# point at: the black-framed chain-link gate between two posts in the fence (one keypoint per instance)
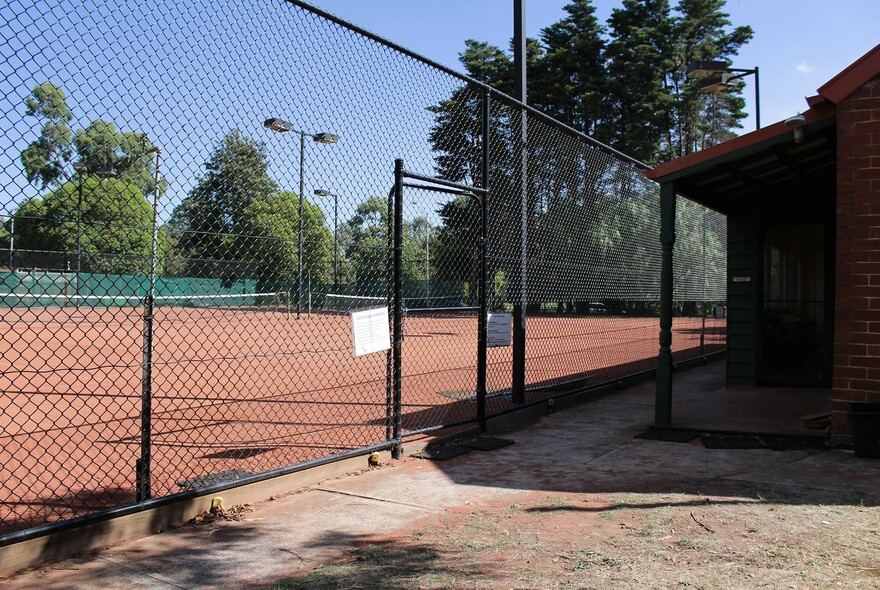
(438, 331)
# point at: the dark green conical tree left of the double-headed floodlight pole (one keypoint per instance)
(209, 220)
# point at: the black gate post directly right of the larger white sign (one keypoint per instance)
(397, 335)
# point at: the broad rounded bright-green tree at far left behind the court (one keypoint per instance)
(111, 218)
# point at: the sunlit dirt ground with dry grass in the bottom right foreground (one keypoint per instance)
(737, 535)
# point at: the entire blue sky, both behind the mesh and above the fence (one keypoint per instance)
(185, 73)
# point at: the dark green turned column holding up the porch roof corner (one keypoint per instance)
(663, 398)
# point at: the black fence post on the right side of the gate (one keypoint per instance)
(482, 346)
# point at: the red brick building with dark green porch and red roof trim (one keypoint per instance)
(802, 198)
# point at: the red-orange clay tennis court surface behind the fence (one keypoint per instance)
(237, 392)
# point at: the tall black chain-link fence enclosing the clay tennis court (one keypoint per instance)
(195, 198)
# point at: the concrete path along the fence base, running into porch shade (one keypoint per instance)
(585, 448)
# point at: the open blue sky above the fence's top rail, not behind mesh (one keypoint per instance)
(798, 44)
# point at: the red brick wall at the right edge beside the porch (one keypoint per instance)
(857, 309)
